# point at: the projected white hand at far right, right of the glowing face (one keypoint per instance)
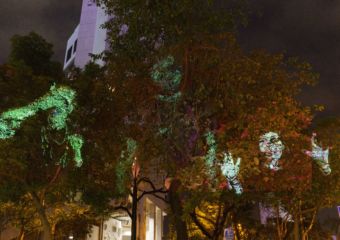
(320, 156)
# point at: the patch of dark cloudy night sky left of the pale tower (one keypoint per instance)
(53, 19)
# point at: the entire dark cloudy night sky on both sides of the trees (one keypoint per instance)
(309, 29)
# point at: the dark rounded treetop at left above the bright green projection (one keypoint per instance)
(29, 73)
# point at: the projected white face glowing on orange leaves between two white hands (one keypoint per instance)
(272, 147)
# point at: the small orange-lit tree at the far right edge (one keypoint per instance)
(324, 189)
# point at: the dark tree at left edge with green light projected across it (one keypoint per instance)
(33, 167)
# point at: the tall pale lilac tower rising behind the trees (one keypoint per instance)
(88, 37)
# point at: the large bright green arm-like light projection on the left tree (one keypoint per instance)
(61, 101)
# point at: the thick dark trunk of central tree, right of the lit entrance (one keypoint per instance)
(177, 211)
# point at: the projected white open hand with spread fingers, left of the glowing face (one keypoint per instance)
(231, 170)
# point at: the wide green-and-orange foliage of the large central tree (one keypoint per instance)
(218, 89)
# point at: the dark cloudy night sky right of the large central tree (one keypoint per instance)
(308, 29)
